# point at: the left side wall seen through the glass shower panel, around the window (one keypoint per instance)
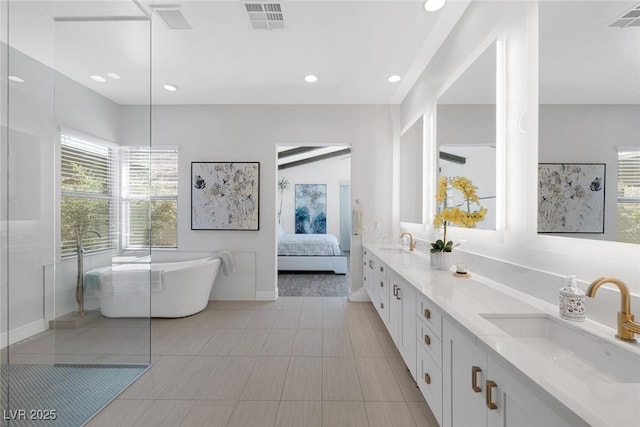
(37, 109)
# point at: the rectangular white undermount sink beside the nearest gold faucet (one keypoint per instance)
(570, 348)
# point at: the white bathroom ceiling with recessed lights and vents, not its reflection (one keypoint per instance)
(352, 47)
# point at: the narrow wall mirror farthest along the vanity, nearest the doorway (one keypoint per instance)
(411, 172)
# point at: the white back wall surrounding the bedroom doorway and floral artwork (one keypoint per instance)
(252, 133)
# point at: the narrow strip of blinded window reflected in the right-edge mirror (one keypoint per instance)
(628, 223)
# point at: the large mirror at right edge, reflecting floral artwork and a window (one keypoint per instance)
(589, 120)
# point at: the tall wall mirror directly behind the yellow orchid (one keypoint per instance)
(466, 134)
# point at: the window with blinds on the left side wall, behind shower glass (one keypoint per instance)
(87, 203)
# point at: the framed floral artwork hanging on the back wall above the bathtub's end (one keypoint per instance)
(225, 195)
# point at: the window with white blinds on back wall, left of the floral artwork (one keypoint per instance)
(149, 176)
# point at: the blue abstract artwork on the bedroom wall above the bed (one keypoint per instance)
(311, 209)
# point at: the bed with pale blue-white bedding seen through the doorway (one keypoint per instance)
(310, 252)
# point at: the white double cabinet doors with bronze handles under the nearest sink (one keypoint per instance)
(478, 390)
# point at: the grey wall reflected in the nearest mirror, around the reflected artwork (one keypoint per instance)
(590, 134)
